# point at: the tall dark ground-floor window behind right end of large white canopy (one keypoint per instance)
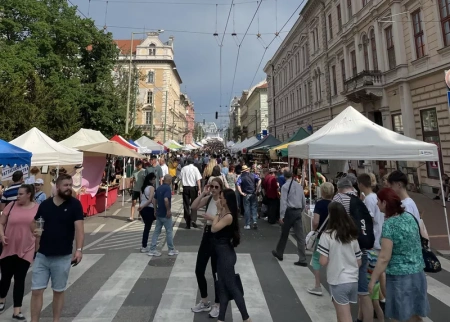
(430, 132)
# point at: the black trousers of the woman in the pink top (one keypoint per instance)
(17, 267)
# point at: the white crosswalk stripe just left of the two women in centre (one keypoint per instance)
(180, 293)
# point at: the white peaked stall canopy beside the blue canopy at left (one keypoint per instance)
(45, 150)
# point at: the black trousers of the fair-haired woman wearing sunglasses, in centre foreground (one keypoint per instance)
(205, 252)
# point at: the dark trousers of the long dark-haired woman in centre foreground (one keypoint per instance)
(228, 289)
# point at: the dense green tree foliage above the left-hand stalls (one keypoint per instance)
(56, 72)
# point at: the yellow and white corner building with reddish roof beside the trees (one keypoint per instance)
(160, 108)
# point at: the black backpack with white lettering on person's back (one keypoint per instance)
(361, 216)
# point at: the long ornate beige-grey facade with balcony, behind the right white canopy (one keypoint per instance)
(386, 58)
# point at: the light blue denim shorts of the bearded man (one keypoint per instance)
(55, 267)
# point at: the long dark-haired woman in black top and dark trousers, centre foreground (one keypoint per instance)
(226, 237)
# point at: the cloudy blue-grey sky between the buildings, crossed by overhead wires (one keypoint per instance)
(193, 23)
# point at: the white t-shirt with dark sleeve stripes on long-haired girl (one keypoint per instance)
(342, 259)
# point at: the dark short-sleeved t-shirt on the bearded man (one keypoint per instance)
(59, 226)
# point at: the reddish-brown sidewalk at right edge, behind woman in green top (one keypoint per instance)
(434, 218)
